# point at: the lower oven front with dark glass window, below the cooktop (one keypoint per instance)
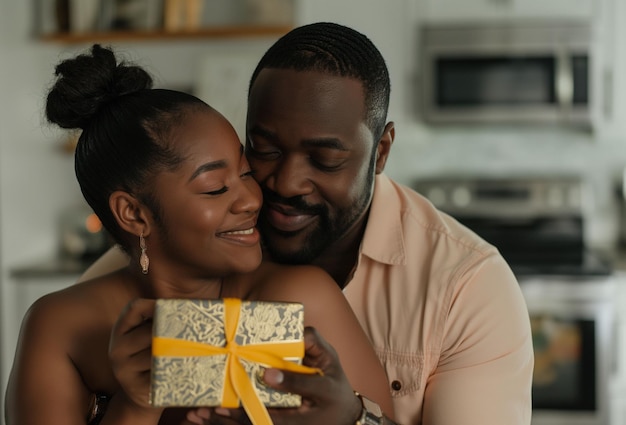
(573, 325)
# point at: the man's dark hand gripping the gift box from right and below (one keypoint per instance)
(327, 399)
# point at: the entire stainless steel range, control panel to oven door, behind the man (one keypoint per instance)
(538, 225)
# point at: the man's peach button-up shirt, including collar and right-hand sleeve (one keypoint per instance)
(444, 313)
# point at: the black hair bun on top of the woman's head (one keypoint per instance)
(86, 82)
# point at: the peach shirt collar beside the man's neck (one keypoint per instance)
(383, 240)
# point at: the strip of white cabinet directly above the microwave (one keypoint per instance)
(440, 11)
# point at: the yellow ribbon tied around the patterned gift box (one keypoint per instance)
(237, 385)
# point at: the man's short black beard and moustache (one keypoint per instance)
(327, 230)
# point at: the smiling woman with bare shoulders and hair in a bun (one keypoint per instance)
(167, 176)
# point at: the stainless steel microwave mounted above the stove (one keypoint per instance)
(506, 73)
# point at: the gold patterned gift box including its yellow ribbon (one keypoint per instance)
(212, 352)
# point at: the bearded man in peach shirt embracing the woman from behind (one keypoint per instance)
(440, 305)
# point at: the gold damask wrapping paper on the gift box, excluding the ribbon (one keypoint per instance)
(200, 380)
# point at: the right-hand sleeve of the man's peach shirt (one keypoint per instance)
(484, 371)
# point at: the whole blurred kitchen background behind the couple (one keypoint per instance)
(510, 115)
